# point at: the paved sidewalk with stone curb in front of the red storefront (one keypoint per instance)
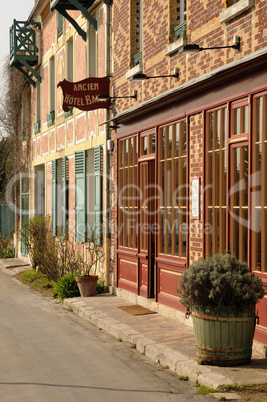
(164, 340)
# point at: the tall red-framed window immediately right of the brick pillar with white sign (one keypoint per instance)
(215, 186)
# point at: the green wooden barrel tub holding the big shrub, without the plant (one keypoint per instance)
(223, 336)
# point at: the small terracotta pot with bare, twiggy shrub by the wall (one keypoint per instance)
(86, 276)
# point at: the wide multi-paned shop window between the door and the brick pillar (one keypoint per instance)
(172, 181)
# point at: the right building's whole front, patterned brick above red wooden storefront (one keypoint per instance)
(190, 154)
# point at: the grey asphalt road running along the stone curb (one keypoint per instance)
(49, 354)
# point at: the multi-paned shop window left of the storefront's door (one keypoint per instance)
(128, 192)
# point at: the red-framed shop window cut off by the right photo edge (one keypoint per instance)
(259, 185)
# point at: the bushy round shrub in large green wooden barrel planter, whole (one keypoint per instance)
(221, 294)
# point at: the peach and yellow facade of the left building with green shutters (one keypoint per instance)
(67, 148)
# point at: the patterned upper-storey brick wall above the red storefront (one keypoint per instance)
(203, 27)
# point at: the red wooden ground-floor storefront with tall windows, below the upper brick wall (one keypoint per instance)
(211, 133)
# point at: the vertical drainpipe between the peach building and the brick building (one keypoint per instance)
(107, 229)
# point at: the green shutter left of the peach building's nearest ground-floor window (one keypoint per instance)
(80, 196)
